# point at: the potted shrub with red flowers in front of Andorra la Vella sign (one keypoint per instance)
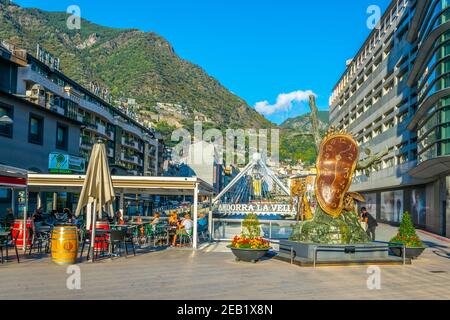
(250, 246)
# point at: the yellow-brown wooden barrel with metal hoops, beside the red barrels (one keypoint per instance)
(64, 245)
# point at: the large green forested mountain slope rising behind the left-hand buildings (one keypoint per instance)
(130, 62)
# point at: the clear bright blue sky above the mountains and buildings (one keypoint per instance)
(258, 49)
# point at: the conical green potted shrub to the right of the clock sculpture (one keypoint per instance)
(407, 235)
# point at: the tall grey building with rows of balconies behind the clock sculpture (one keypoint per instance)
(393, 96)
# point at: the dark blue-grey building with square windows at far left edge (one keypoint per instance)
(30, 133)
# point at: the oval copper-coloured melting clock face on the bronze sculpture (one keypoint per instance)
(336, 164)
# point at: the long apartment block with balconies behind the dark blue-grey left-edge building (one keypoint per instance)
(132, 148)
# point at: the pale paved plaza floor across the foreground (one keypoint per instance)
(212, 273)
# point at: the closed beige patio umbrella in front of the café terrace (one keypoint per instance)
(98, 192)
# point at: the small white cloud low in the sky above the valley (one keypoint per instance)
(285, 102)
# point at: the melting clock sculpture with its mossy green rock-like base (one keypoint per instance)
(335, 220)
